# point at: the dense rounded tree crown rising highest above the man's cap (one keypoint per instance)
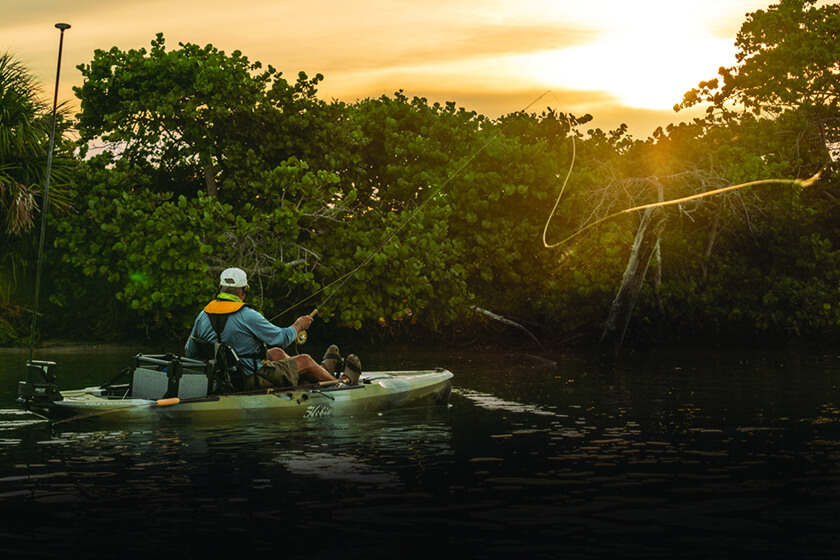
(195, 118)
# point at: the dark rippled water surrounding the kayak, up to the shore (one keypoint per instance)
(694, 454)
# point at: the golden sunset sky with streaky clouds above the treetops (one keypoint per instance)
(622, 61)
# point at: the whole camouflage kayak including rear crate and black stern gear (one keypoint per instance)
(141, 400)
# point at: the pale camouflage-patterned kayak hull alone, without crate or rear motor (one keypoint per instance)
(374, 392)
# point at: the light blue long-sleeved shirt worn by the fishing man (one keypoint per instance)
(245, 332)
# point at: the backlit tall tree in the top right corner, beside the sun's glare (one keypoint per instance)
(788, 61)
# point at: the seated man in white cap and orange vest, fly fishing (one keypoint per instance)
(228, 319)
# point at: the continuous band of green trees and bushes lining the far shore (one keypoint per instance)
(184, 161)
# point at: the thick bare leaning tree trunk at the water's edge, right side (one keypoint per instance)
(647, 236)
